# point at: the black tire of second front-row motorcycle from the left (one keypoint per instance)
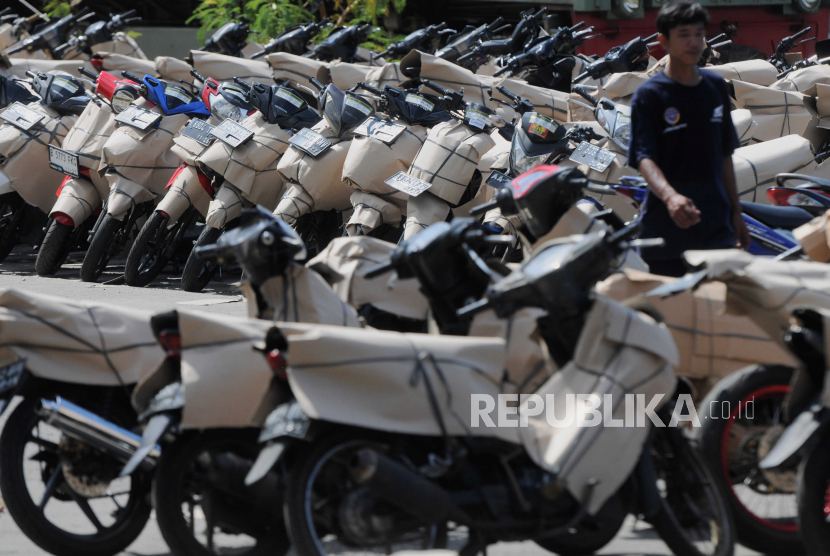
(177, 478)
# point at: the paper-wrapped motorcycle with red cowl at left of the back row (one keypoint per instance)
(81, 192)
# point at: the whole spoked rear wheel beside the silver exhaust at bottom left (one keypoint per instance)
(64, 496)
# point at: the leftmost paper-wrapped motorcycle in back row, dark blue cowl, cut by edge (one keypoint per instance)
(30, 132)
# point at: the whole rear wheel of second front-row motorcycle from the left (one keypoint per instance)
(202, 504)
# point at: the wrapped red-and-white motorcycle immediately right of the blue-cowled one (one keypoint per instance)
(190, 190)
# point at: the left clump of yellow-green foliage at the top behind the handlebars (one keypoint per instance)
(267, 18)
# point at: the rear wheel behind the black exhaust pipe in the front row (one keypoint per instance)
(327, 513)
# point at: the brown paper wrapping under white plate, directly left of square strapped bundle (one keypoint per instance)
(370, 161)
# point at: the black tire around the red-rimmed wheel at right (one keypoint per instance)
(767, 384)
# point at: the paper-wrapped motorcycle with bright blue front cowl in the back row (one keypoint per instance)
(137, 162)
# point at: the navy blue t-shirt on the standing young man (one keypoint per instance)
(687, 131)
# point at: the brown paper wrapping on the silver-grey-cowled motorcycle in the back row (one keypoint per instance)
(317, 181)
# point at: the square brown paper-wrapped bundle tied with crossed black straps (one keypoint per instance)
(449, 158)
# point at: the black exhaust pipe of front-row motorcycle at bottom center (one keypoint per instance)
(405, 489)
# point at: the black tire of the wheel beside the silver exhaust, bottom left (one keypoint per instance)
(32, 521)
